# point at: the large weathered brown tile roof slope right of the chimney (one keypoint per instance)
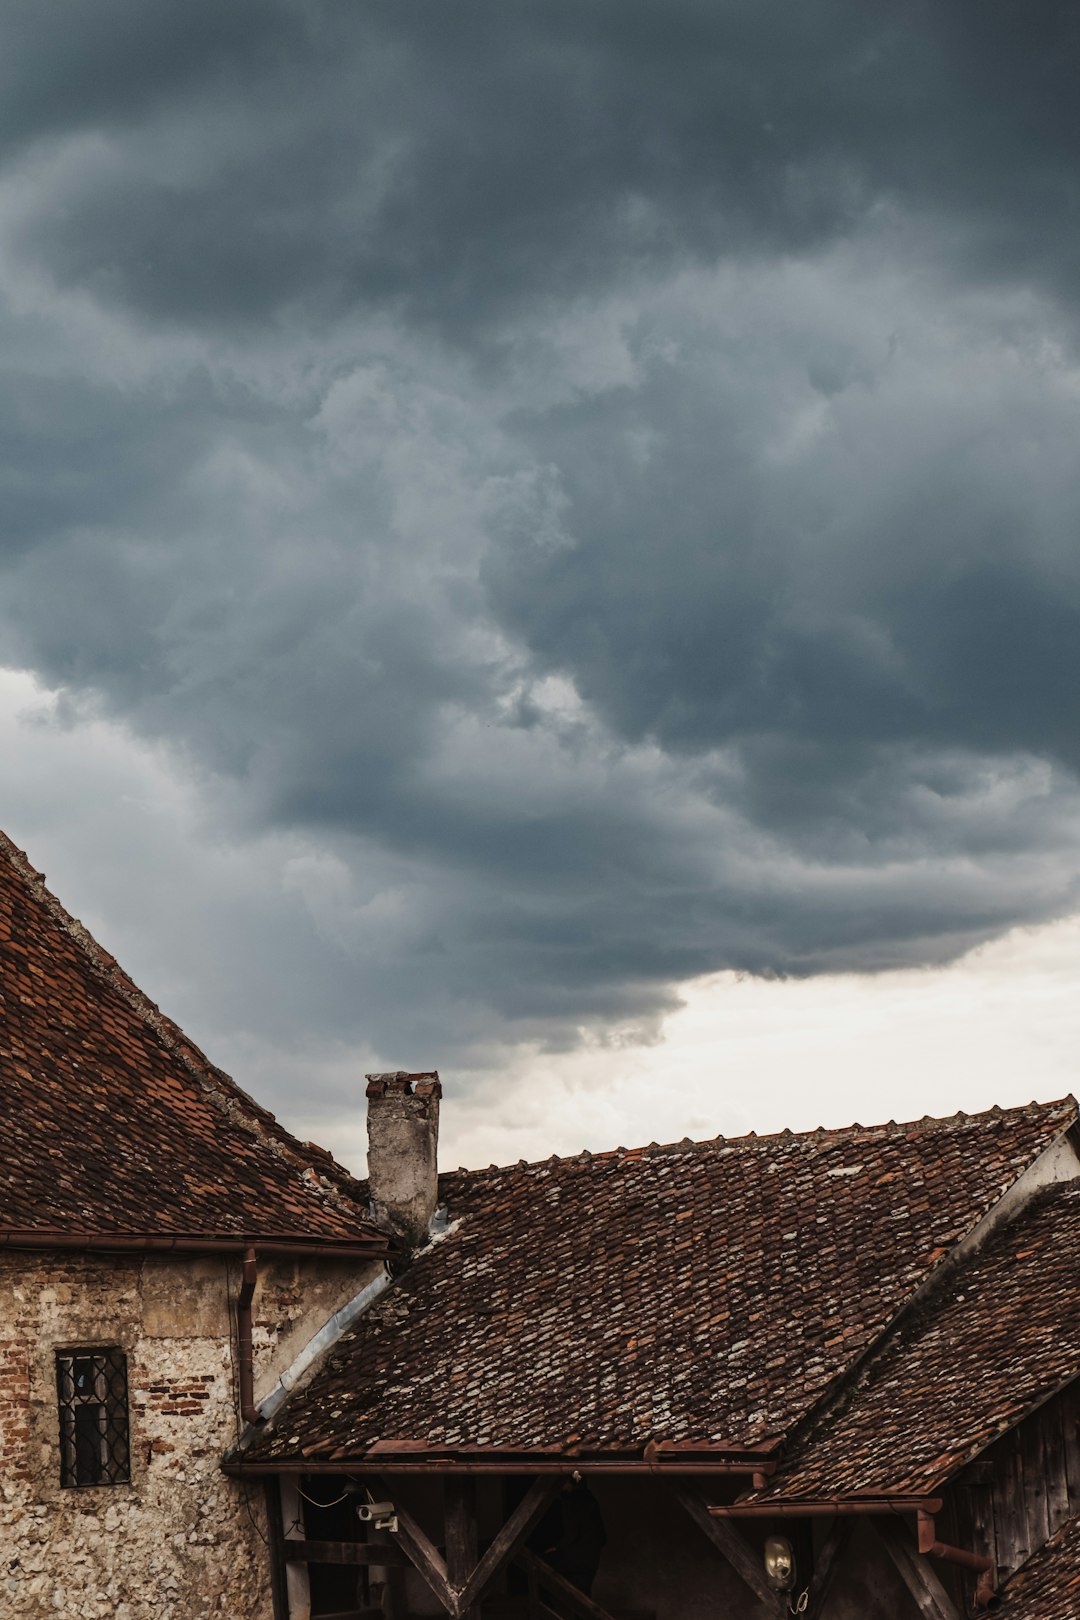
(692, 1292)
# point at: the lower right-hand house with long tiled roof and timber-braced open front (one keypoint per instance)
(833, 1375)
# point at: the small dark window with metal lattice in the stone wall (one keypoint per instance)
(93, 1391)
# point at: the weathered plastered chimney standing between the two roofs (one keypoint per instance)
(402, 1146)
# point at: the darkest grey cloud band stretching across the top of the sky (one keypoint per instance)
(459, 160)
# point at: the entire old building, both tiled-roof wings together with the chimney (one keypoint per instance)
(831, 1373)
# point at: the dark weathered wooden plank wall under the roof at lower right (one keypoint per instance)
(1024, 1488)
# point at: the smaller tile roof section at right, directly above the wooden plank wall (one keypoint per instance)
(984, 1352)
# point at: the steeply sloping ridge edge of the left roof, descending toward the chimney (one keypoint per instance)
(218, 1086)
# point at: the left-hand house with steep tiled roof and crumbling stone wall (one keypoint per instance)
(166, 1250)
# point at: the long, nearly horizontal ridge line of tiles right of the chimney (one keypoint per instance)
(754, 1140)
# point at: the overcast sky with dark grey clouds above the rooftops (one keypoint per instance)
(517, 514)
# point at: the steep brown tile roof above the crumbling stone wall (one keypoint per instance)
(113, 1120)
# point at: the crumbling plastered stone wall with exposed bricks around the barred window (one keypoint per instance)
(181, 1540)
